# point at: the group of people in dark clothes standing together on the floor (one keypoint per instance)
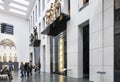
(26, 69)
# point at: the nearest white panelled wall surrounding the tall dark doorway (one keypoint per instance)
(101, 39)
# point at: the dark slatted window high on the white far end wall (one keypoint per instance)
(7, 28)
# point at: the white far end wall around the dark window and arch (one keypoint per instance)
(20, 37)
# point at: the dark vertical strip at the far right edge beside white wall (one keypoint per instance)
(116, 41)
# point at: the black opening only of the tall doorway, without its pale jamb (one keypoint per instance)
(86, 52)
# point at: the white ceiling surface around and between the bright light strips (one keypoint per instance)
(6, 5)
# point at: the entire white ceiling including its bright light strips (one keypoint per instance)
(20, 8)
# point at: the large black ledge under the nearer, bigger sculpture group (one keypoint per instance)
(57, 26)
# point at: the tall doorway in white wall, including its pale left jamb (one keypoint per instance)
(83, 50)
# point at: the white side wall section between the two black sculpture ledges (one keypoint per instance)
(44, 39)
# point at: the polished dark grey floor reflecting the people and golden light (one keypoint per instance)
(42, 77)
